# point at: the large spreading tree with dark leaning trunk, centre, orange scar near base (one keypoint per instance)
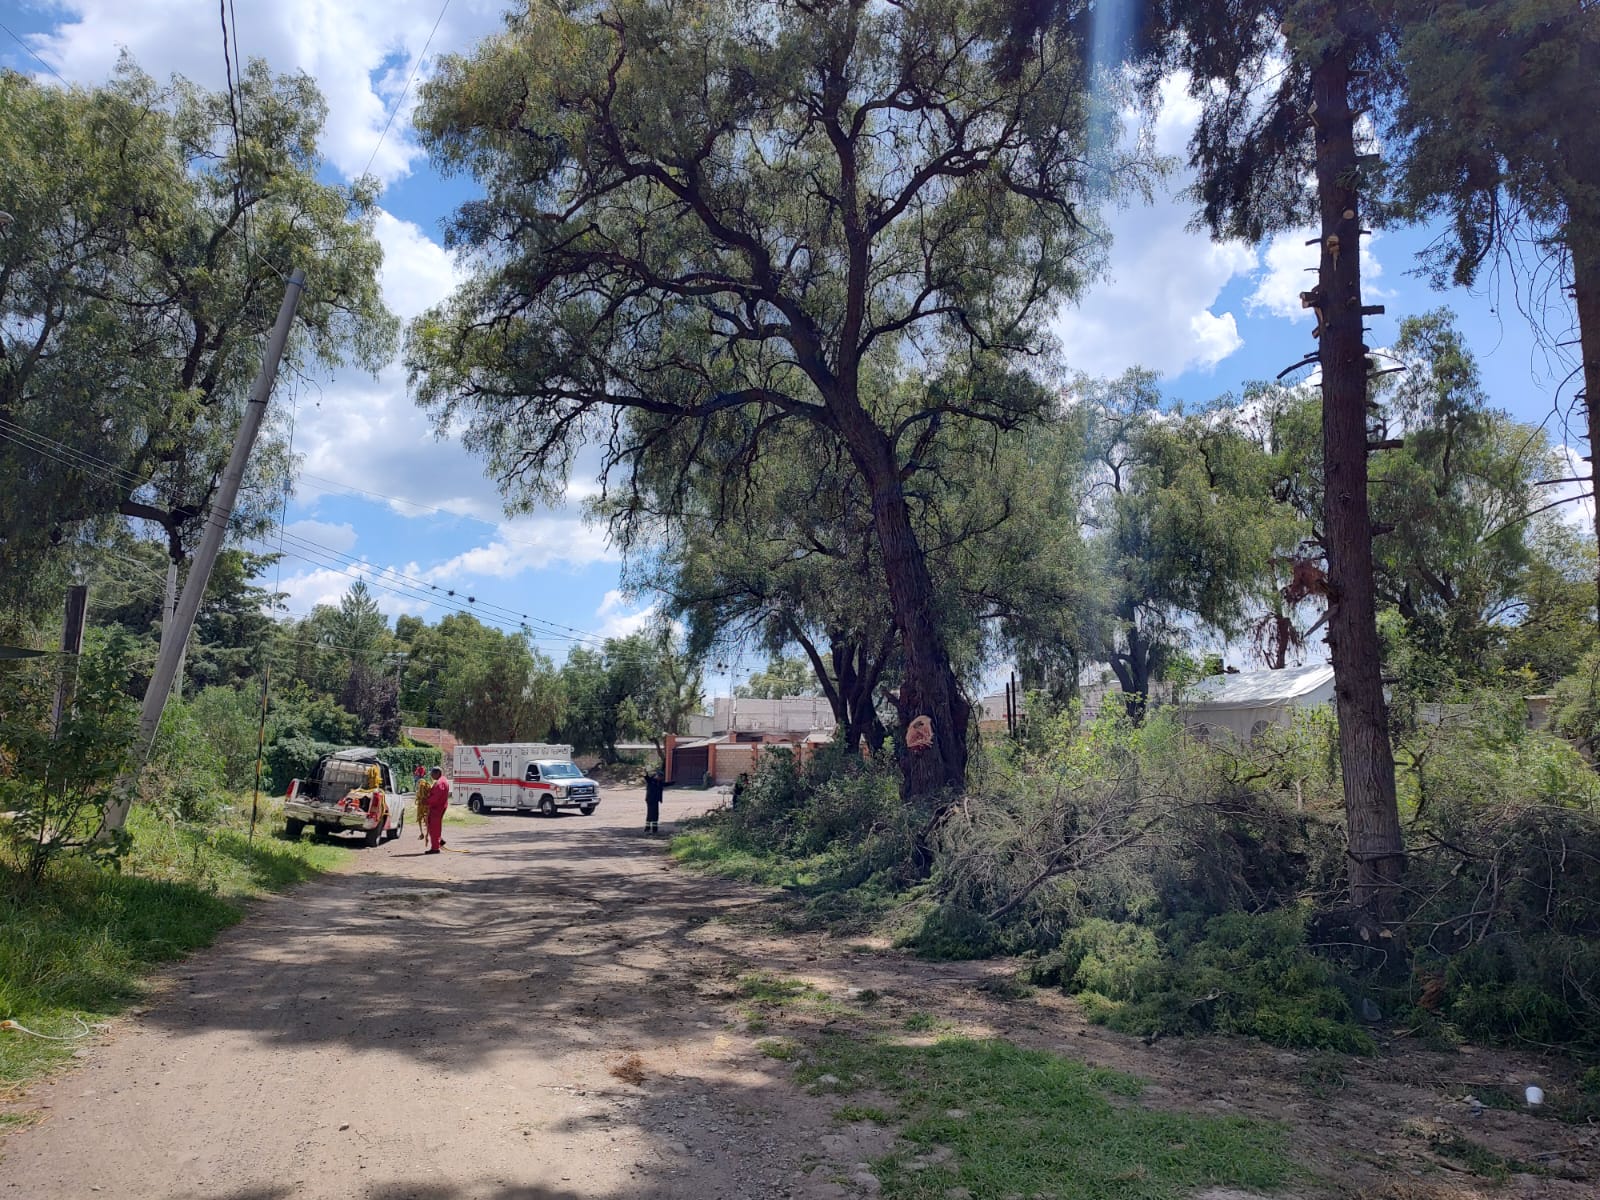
(730, 215)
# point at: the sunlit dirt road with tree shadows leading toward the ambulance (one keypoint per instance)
(439, 1028)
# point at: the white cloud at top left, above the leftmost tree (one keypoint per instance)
(361, 57)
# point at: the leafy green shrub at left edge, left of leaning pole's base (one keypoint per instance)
(55, 782)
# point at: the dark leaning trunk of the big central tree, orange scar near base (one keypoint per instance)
(929, 687)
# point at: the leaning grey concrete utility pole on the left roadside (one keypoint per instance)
(210, 546)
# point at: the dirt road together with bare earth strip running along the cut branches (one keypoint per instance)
(558, 1012)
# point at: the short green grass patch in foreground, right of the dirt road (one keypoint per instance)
(1022, 1122)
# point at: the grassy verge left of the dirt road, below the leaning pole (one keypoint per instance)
(79, 946)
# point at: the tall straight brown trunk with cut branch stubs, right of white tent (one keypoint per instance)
(1372, 815)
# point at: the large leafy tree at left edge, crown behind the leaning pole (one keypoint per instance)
(138, 278)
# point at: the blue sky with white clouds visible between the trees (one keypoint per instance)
(1210, 318)
